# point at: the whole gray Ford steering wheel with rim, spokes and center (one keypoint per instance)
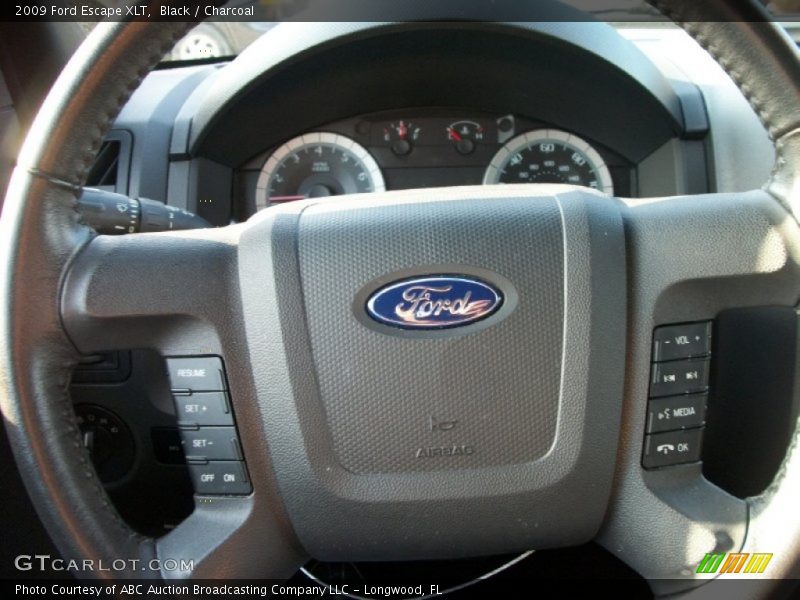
(340, 418)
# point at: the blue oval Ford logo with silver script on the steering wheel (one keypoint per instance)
(434, 302)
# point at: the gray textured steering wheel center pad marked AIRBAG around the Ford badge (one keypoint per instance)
(521, 407)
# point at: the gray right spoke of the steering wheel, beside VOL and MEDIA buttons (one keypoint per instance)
(688, 259)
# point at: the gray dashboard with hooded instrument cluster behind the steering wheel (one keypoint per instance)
(316, 110)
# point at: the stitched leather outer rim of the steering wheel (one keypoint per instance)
(41, 235)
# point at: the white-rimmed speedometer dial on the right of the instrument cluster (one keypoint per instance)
(549, 156)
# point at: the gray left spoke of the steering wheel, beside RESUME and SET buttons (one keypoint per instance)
(178, 293)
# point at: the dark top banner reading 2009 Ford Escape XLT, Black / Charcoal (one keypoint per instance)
(366, 10)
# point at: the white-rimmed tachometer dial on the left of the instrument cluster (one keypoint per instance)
(316, 165)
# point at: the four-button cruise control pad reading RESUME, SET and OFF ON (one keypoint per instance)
(207, 427)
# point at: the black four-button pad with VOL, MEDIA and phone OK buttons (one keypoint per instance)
(679, 381)
